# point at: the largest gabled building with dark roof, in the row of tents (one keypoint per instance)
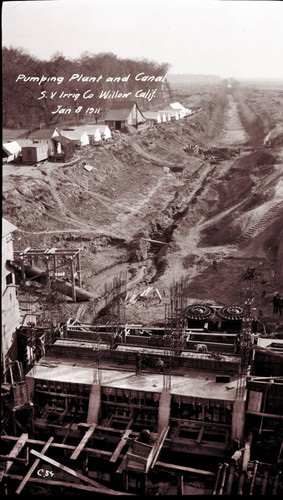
(122, 114)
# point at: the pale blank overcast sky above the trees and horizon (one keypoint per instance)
(240, 39)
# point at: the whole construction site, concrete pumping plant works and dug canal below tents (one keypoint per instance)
(147, 352)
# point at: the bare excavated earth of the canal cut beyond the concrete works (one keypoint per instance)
(145, 186)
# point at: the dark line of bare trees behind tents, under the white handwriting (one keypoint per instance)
(23, 107)
